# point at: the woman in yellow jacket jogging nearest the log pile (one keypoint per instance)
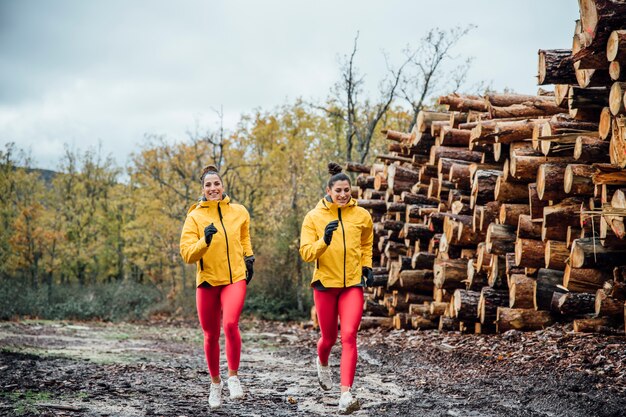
(337, 235)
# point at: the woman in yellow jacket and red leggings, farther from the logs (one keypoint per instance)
(216, 238)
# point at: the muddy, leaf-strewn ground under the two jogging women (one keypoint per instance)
(101, 369)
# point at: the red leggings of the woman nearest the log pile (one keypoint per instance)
(347, 304)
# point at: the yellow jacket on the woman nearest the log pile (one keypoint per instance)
(340, 263)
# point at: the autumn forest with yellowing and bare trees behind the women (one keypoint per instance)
(95, 240)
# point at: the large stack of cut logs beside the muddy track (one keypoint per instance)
(506, 211)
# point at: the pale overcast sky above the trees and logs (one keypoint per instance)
(80, 72)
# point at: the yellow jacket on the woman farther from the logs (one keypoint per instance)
(222, 262)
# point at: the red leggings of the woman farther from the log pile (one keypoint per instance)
(225, 301)
